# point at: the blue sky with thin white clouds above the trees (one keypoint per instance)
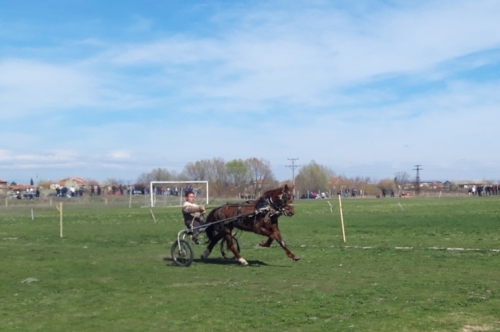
(107, 89)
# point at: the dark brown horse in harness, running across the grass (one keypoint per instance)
(259, 216)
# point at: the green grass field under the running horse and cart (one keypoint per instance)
(397, 271)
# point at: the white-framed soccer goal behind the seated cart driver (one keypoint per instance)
(171, 193)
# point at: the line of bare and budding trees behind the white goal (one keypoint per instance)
(254, 176)
